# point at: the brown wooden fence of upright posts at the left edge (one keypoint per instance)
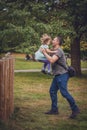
(6, 87)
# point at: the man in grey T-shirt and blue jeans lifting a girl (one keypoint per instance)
(60, 80)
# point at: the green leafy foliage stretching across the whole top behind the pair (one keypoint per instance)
(23, 22)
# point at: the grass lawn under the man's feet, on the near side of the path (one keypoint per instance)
(31, 100)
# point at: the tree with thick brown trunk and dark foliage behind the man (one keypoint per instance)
(75, 17)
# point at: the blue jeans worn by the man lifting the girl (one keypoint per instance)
(60, 83)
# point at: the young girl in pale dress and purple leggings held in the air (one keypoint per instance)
(39, 56)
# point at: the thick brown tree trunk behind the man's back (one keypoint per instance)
(75, 55)
